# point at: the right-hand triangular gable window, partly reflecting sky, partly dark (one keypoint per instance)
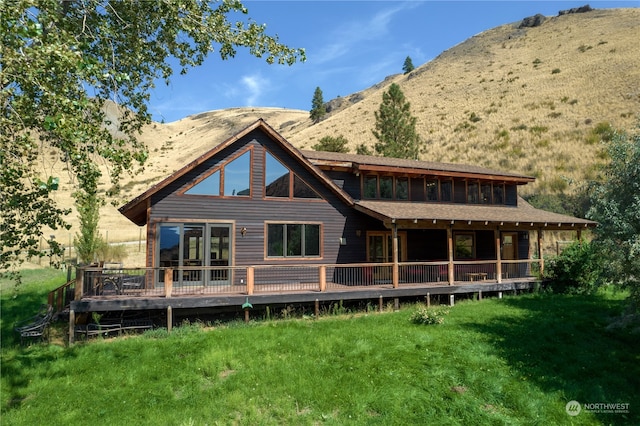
(280, 181)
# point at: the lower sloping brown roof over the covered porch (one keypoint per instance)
(523, 214)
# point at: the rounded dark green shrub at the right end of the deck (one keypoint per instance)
(575, 270)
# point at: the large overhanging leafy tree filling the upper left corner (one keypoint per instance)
(62, 60)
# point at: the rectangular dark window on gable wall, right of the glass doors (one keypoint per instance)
(293, 240)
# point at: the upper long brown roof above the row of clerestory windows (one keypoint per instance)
(364, 163)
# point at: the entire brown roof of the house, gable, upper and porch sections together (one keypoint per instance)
(387, 211)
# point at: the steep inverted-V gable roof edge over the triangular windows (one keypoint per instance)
(136, 209)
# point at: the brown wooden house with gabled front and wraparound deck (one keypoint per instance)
(254, 215)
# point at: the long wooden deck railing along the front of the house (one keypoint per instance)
(132, 282)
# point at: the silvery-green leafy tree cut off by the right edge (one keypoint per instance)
(615, 205)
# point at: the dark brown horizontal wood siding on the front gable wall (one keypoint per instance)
(338, 220)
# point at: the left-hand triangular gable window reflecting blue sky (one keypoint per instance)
(232, 179)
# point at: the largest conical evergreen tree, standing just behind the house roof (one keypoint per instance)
(395, 127)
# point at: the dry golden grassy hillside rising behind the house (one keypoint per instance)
(516, 99)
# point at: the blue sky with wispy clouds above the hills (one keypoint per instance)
(350, 46)
